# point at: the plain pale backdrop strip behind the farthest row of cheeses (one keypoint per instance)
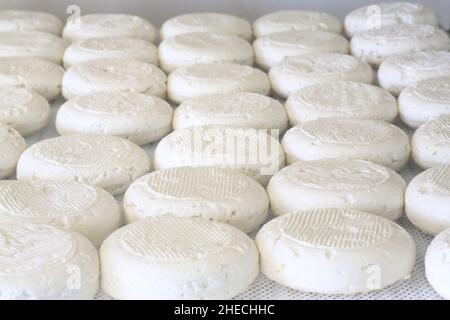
(158, 11)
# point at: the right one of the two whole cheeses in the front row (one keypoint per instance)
(335, 251)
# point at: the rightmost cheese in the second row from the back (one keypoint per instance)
(375, 45)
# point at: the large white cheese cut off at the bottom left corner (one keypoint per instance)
(42, 262)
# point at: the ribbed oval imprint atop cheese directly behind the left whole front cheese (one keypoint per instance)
(197, 183)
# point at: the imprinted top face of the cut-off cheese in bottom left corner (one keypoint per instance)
(33, 248)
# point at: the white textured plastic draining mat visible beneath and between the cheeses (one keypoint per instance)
(414, 288)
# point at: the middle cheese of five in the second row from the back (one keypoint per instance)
(187, 49)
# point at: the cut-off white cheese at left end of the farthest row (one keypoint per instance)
(22, 20)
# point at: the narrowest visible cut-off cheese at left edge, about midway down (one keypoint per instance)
(12, 144)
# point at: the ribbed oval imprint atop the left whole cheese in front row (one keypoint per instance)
(176, 239)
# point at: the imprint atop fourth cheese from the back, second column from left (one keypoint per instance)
(116, 103)
